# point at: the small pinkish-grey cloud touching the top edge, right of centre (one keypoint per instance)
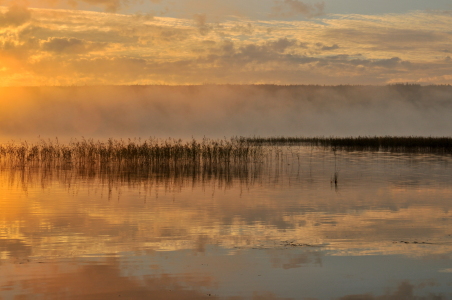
(292, 8)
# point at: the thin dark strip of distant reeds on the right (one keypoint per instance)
(366, 143)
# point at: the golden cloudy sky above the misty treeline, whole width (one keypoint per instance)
(182, 42)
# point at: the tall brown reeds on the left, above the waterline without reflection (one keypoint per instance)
(137, 152)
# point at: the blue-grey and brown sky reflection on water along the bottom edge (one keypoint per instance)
(244, 275)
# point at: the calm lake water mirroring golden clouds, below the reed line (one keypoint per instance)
(277, 229)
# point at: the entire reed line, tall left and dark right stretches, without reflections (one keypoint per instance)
(237, 150)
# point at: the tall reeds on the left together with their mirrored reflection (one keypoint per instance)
(172, 163)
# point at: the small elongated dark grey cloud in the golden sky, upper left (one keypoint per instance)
(71, 46)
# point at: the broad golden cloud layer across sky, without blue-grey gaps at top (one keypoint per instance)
(152, 49)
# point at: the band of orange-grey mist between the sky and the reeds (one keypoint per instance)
(225, 110)
